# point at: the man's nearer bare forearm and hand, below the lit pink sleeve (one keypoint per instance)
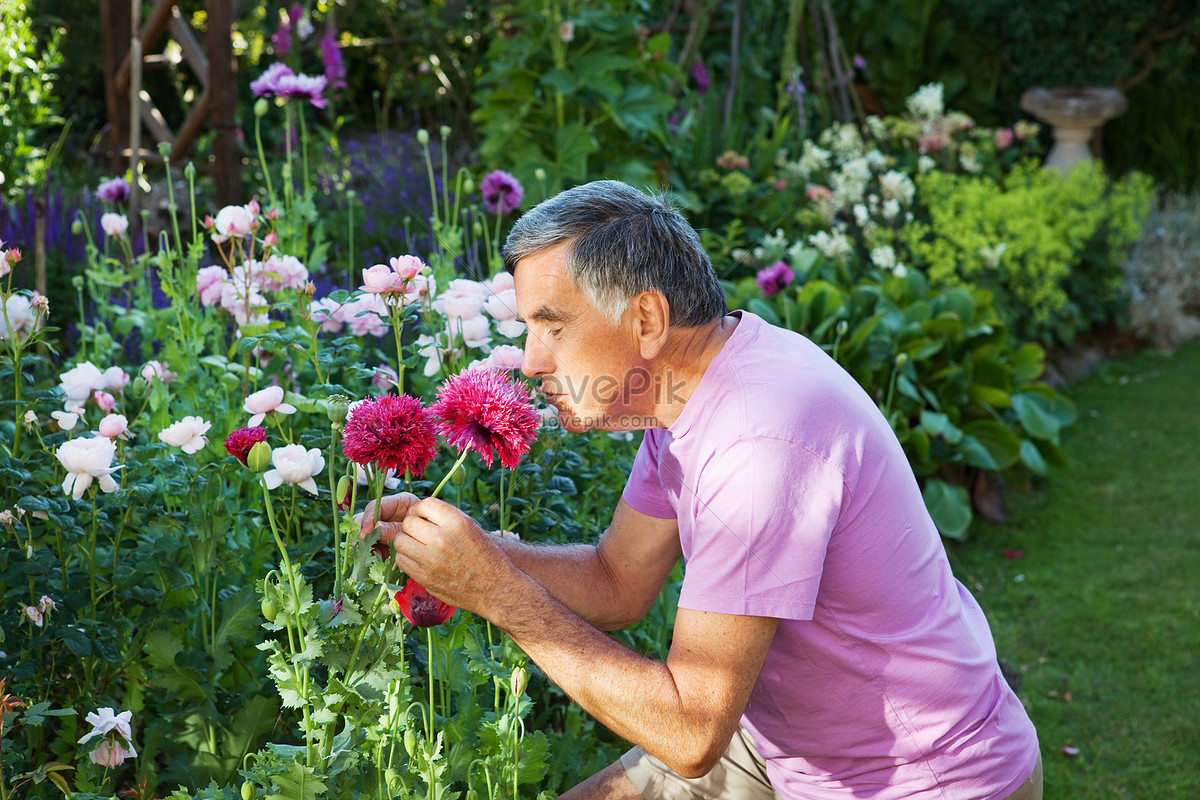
(685, 712)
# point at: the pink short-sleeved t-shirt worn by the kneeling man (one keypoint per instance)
(795, 501)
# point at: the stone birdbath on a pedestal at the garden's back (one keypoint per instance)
(1075, 115)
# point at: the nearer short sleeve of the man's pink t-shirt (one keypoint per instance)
(765, 513)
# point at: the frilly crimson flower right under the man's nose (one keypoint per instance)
(487, 411)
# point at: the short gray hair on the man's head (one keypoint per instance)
(625, 243)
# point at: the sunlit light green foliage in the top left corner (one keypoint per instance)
(28, 106)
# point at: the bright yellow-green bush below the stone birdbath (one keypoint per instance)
(1049, 248)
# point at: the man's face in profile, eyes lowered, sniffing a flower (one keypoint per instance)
(590, 368)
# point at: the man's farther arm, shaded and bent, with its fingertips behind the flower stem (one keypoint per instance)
(610, 585)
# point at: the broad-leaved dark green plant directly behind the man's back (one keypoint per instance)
(961, 396)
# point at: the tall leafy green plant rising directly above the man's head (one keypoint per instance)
(574, 92)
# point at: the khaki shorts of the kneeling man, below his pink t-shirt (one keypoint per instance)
(741, 775)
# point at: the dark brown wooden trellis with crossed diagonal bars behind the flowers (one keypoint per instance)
(128, 39)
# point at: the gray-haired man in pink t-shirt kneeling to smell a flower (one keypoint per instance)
(823, 648)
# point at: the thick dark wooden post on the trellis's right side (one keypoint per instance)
(224, 103)
